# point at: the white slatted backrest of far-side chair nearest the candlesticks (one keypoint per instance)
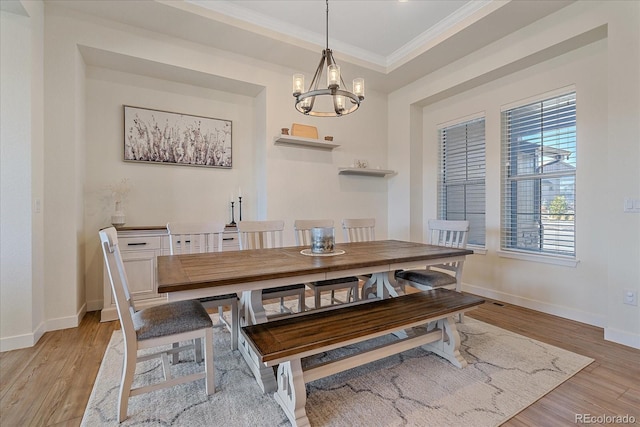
(197, 237)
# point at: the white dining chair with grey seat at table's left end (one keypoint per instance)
(155, 326)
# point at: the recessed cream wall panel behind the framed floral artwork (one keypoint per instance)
(159, 193)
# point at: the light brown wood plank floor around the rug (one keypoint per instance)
(50, 383)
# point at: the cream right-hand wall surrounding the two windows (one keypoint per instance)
(586, 45)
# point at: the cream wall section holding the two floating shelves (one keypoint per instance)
(302, 183)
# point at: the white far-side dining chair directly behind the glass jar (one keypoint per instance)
(302, 229)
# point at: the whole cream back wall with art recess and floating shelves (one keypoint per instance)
(97, 66)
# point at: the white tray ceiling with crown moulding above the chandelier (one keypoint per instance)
(388, 42)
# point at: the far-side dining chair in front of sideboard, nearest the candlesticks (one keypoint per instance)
(190, 238)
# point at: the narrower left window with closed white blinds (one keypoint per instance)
(461, 186)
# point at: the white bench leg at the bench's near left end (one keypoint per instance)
(292, 393)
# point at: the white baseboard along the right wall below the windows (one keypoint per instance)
(544, 307)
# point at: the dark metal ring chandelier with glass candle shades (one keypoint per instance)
(332, 100)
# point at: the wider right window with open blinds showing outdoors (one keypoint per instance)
(539, 177)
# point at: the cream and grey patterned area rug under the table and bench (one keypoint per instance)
(506, 373)
